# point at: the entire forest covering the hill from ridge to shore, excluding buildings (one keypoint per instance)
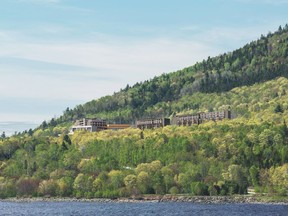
(214, 158)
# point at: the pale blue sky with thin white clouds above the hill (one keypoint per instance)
(56, 54)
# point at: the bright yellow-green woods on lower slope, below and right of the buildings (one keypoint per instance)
(214, 158)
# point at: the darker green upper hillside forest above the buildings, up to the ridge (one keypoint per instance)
(258, 61)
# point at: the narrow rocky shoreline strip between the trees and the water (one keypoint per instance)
(162, 198)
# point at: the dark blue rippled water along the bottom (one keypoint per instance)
(144, 209)
